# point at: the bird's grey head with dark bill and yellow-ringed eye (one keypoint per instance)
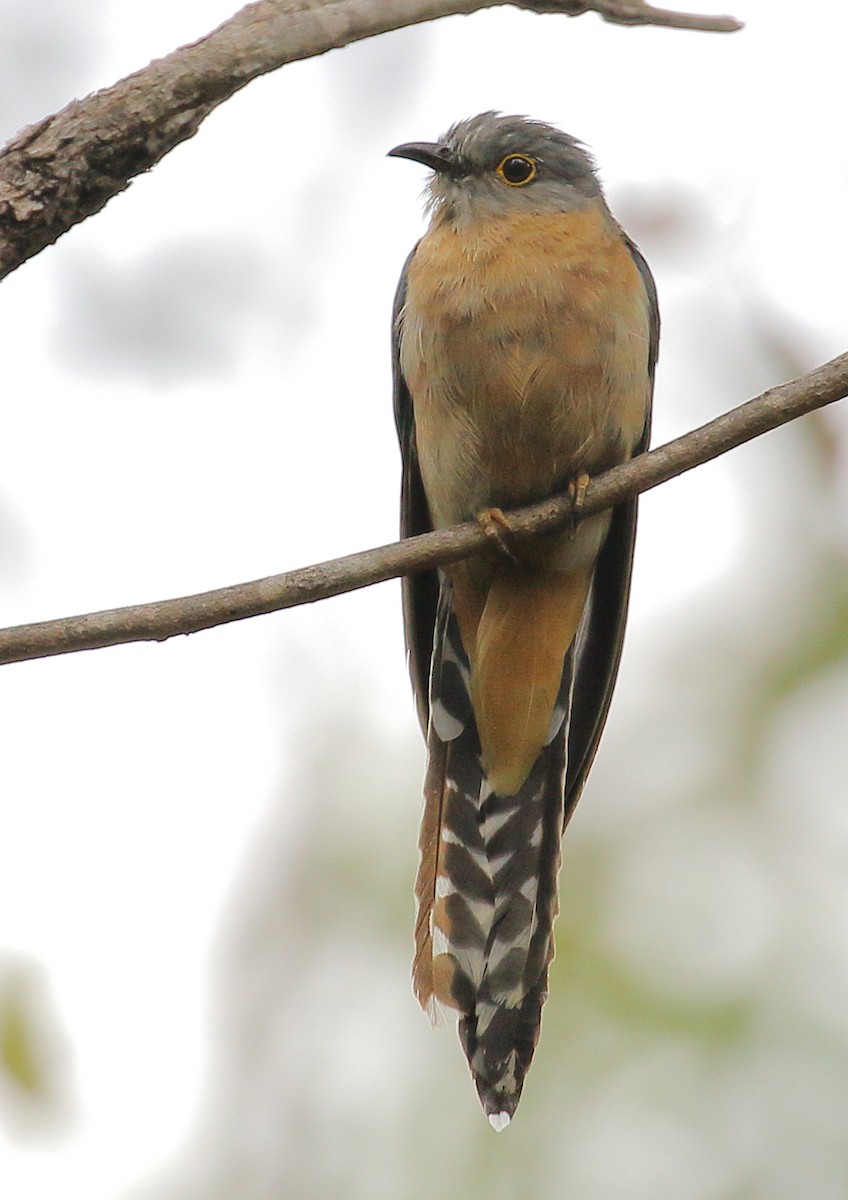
(494, 165)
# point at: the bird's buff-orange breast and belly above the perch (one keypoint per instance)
(522, 381)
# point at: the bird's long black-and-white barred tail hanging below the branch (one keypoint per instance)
(488, 884)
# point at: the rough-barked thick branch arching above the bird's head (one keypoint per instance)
(65, 169)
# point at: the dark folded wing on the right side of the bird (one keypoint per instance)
(600, 646)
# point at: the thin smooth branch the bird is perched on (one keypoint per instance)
(166, 619)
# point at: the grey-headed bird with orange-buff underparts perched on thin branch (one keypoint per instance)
(525, 341)
